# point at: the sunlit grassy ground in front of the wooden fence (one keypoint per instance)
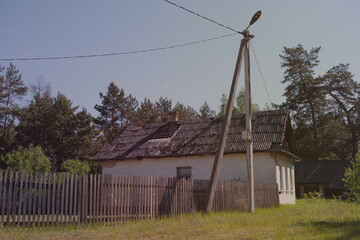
(308, 219)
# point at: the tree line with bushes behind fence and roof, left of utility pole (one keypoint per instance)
(51, 134)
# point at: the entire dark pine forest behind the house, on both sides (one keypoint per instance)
(325, 112)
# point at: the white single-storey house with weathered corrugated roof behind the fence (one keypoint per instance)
(187, 149)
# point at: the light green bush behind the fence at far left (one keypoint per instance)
(31, 159)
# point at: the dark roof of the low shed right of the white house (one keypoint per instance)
(320, 172)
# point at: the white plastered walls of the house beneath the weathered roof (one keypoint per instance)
(233, 167)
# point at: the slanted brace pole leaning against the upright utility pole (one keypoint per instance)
(221, 147)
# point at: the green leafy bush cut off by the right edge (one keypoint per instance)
(352, 178)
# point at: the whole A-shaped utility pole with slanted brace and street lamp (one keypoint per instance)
(246, 135)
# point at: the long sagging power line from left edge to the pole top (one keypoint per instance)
(117, 53)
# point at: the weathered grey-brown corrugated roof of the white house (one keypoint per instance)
(271, 131)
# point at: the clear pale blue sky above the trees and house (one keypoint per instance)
(190, 75)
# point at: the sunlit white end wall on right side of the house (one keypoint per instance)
(285, 178)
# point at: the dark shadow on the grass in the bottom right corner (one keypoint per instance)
(349, 229)
